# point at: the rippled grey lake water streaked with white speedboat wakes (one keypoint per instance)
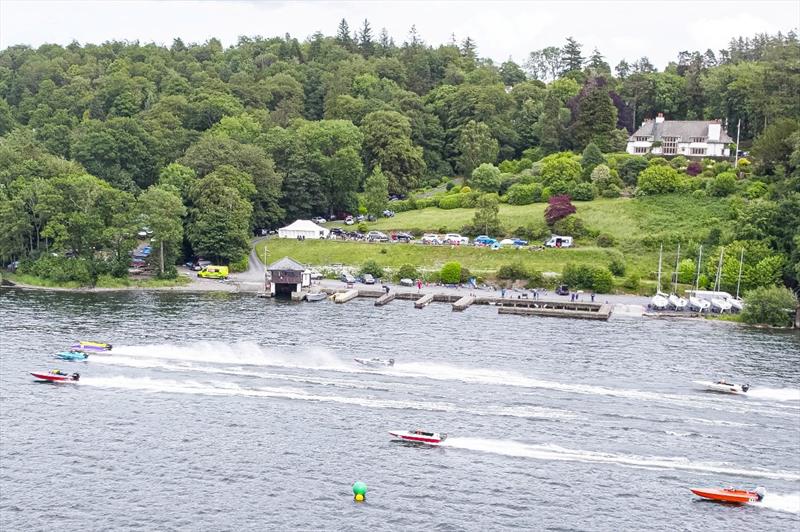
(229, 412)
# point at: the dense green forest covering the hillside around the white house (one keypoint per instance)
(203, 144)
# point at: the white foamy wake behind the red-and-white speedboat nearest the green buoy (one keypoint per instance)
(554, 452)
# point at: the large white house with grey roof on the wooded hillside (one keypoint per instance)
(691, 138)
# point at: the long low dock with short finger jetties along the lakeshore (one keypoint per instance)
(460, 302)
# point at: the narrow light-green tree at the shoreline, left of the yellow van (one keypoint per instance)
(163, 211)
